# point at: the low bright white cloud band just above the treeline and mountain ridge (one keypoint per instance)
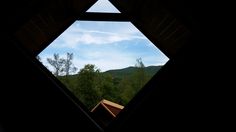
(109, 60)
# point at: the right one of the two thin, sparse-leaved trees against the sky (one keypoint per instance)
(68, 65)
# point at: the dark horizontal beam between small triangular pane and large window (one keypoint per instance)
(93, 16)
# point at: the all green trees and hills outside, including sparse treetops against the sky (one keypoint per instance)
(91, 85)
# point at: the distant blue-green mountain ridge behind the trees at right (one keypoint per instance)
(150, 71)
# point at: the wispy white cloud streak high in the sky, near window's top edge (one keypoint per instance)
(75, 35)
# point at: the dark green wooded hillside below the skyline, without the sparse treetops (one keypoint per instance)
(118, 85)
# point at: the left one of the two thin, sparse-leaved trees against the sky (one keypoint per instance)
(57, 63)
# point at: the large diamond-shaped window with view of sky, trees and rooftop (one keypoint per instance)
(104, 64)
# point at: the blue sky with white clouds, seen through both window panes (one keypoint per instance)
(108, 45)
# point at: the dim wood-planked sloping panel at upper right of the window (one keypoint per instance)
(158, 23)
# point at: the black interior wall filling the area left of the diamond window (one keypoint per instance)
(29, 99)
